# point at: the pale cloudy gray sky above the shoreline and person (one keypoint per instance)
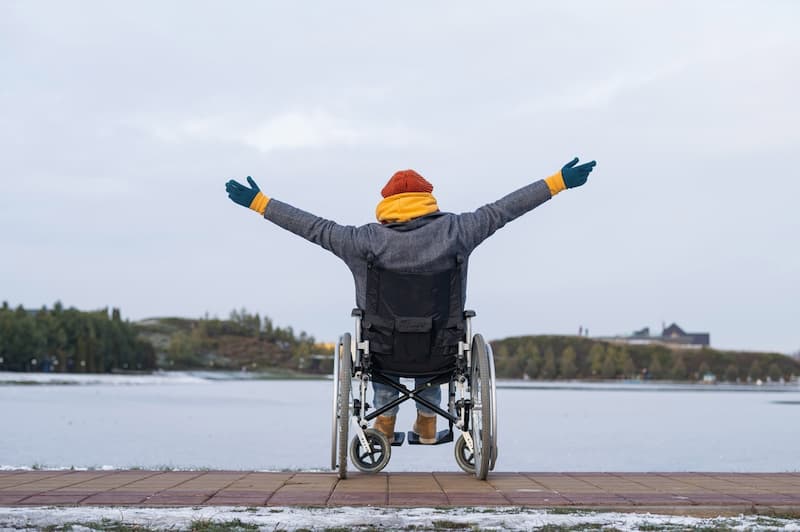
(121, 122)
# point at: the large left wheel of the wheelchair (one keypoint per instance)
(342, 379)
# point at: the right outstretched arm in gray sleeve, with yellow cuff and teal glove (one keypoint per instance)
(475, 227)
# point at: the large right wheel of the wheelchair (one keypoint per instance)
(481, 413)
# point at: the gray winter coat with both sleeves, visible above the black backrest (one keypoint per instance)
(426, 244)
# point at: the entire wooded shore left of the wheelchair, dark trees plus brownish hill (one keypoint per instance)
(68, 340)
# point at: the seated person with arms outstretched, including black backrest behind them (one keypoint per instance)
(410, 272)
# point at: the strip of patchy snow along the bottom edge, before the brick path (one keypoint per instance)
(95, 518)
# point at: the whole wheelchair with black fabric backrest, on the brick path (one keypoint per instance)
(414, 326)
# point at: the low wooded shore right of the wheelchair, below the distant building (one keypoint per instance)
(568, 357)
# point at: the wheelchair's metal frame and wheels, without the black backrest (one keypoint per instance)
(471, 408)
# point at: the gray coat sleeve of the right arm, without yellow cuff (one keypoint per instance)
(475, 227)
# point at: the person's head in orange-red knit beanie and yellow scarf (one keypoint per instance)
(406, 196)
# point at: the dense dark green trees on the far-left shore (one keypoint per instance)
(69, 340)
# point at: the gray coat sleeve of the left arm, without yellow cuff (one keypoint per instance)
(341, 240)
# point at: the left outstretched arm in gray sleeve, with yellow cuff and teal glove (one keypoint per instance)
(339, 239)
